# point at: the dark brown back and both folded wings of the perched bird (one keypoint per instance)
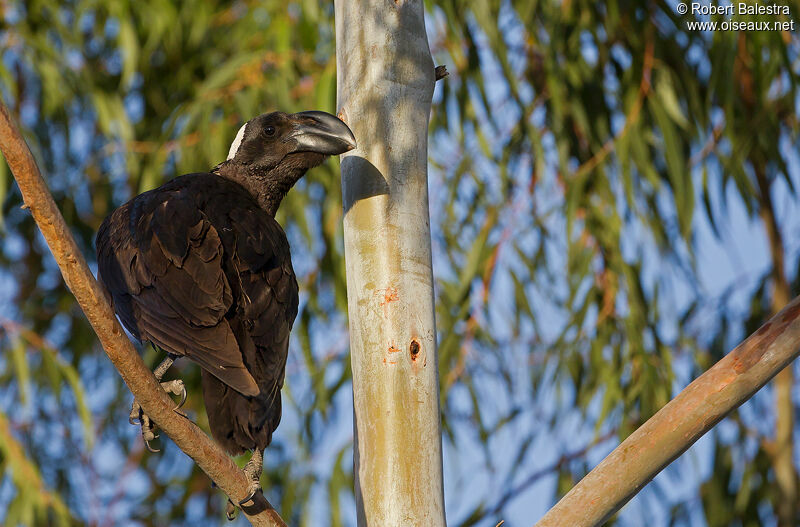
(200, 270)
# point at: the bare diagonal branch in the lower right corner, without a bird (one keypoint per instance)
(670, 432)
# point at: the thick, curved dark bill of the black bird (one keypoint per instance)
(322, 133)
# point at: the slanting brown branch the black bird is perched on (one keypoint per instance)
(90, 296)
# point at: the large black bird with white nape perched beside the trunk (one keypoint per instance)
(200, 268)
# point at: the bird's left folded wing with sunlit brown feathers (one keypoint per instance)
(168, 284)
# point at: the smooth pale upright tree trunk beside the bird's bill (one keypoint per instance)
(385, 85)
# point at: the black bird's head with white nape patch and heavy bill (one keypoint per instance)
(272, 151)
